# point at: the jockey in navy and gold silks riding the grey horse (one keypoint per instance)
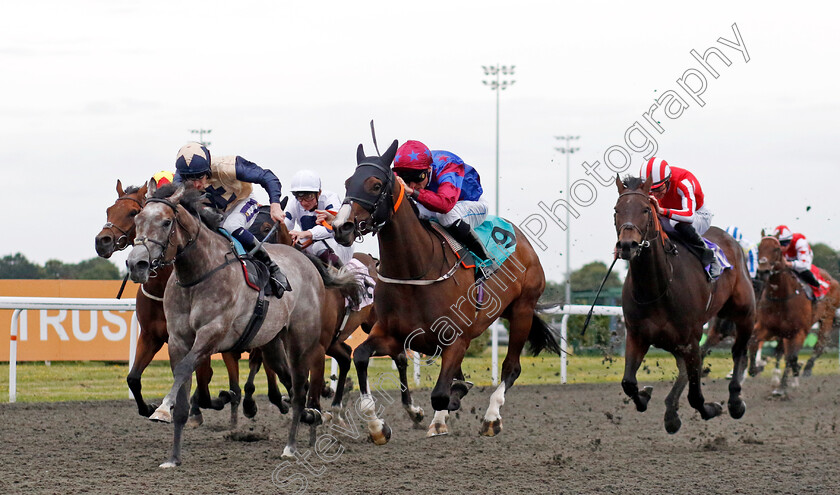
(228, 182)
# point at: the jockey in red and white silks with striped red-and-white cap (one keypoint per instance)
(679, 198)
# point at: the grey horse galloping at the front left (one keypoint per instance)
(204, 318)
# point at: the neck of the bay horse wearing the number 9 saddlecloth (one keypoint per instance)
(406, 249)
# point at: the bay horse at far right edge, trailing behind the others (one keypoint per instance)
(785, 313)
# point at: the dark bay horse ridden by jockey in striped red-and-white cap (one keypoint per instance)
(666, 300)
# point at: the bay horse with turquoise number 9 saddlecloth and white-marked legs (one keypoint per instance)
(426, 304)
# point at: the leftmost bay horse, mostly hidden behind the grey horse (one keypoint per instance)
(118, 233)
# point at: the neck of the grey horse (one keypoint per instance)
(206, 252)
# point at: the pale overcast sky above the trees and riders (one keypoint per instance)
(95, 91)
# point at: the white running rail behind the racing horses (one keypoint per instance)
(19, 304)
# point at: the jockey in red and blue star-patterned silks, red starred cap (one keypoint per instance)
(444, 188)
